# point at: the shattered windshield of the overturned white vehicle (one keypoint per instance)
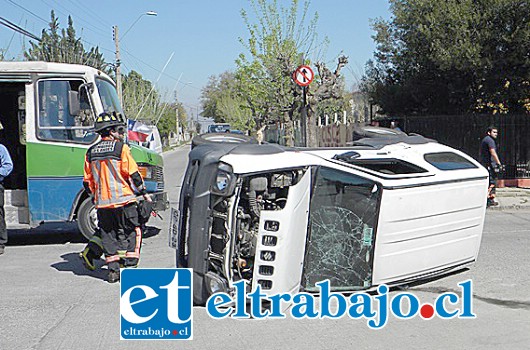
(343, 217)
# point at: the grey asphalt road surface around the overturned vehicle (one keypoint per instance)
(49, 301)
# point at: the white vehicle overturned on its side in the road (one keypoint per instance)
(385, 210)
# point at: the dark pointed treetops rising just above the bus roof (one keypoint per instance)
(63, 46)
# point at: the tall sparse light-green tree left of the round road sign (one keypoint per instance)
(278, 43)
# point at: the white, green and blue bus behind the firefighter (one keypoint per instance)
(47, 113)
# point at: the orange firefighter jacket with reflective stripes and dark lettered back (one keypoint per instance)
(108, 169)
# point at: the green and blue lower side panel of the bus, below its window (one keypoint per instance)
(55, 177)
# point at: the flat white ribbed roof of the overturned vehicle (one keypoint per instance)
(427, 229)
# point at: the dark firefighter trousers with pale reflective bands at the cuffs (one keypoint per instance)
(120, 231)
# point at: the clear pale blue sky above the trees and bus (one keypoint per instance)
(192, 39)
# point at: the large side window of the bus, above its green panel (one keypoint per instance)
(55, 121)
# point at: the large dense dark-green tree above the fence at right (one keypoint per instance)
(450, 57)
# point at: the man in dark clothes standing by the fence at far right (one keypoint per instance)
(490, 160)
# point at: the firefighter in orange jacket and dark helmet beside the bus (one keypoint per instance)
(110, 173)
